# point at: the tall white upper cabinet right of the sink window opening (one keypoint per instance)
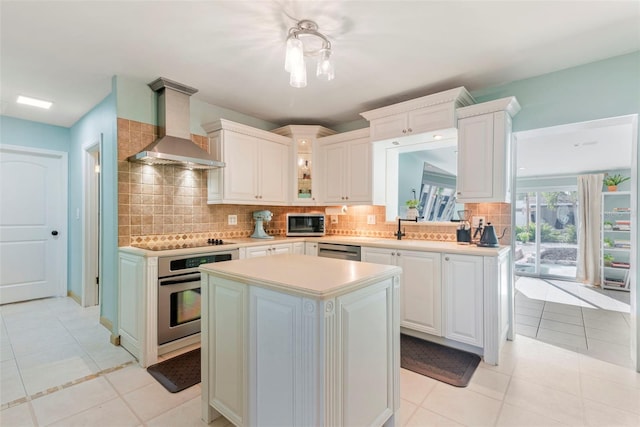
(484, 151)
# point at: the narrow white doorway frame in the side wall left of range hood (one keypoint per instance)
(92, 188)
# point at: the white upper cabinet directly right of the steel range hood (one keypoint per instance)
(257, 167)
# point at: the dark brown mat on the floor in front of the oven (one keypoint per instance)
(178, 373)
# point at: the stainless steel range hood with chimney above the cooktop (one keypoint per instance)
(174, 147)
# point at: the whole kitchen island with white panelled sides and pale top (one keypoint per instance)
(298, 340)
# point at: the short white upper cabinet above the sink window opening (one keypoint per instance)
(420, 115)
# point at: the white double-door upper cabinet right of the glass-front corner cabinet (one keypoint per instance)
(346, 167)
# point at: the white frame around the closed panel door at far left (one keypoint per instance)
(63, 228)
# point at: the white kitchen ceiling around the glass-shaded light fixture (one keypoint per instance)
(233, 51)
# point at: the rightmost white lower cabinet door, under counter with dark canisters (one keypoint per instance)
(463, 296)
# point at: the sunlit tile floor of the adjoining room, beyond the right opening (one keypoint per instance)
(576, 317)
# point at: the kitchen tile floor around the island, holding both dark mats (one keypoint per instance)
(536, 384)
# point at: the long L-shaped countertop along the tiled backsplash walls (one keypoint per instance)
(406, 244)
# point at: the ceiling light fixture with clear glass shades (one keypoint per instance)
(317, 44)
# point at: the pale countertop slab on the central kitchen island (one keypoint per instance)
(303, 275)
